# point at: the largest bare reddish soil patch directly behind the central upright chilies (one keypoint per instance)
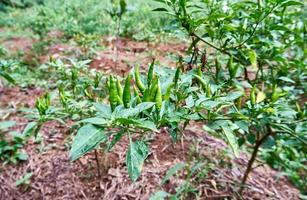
(130, 53)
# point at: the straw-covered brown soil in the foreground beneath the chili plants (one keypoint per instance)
(55, 177)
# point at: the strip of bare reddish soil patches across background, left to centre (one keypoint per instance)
(129, 53)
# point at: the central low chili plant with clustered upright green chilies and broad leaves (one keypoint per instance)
(135, 115)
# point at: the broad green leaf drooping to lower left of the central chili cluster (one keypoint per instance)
(87, 138)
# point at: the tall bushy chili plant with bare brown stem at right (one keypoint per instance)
(251, 40)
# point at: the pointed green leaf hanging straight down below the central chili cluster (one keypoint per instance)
(136, 155)
